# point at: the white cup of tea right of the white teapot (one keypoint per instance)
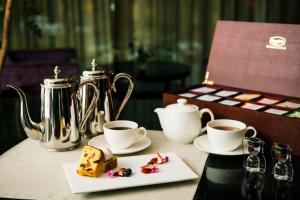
(227, 134)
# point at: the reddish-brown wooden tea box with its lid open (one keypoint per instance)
(260, 58)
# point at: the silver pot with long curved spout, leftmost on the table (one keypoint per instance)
(60, 128)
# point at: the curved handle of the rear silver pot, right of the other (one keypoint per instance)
(128, 93)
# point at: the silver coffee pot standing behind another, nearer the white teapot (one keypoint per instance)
(104, 111)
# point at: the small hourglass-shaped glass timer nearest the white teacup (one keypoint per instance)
(255, 161)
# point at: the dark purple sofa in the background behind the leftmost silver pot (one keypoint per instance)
(31, 67)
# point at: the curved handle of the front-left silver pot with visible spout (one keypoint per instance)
(93, 102)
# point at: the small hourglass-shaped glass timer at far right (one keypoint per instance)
(282, 162)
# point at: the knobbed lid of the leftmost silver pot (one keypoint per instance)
(58, 81)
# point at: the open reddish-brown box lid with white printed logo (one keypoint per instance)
(256, 56)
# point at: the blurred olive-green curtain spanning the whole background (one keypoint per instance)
(106, 28)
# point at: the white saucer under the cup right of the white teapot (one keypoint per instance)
(203, 144)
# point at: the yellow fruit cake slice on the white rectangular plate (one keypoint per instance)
(93, 162)
